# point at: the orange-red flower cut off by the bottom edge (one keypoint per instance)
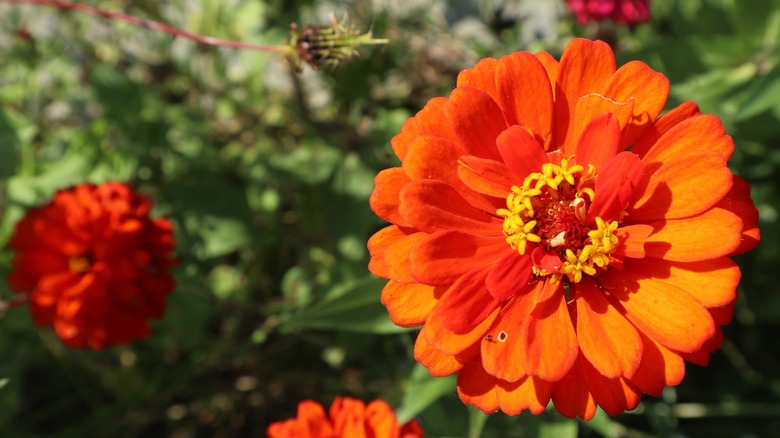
(349, 418)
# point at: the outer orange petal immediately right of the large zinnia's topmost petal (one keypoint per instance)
(647, 88)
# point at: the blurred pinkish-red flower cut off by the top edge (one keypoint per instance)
(619, 11)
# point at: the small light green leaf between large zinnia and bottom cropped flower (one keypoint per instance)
(423, 391)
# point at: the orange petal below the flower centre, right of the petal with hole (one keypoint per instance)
(548, 341)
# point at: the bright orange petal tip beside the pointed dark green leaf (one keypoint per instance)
(409, 303)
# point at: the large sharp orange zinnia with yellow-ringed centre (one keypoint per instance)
(556, 238)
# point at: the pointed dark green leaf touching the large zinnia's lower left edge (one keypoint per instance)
(354, 306)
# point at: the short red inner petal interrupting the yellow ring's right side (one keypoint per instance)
(615, 186)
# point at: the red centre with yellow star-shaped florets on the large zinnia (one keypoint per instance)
(550, 211)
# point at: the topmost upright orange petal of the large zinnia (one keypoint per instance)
(585, 68)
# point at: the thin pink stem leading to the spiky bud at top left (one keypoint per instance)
(151, 25)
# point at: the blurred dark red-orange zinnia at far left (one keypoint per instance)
(94, 264)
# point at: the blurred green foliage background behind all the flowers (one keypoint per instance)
(266, 175)
